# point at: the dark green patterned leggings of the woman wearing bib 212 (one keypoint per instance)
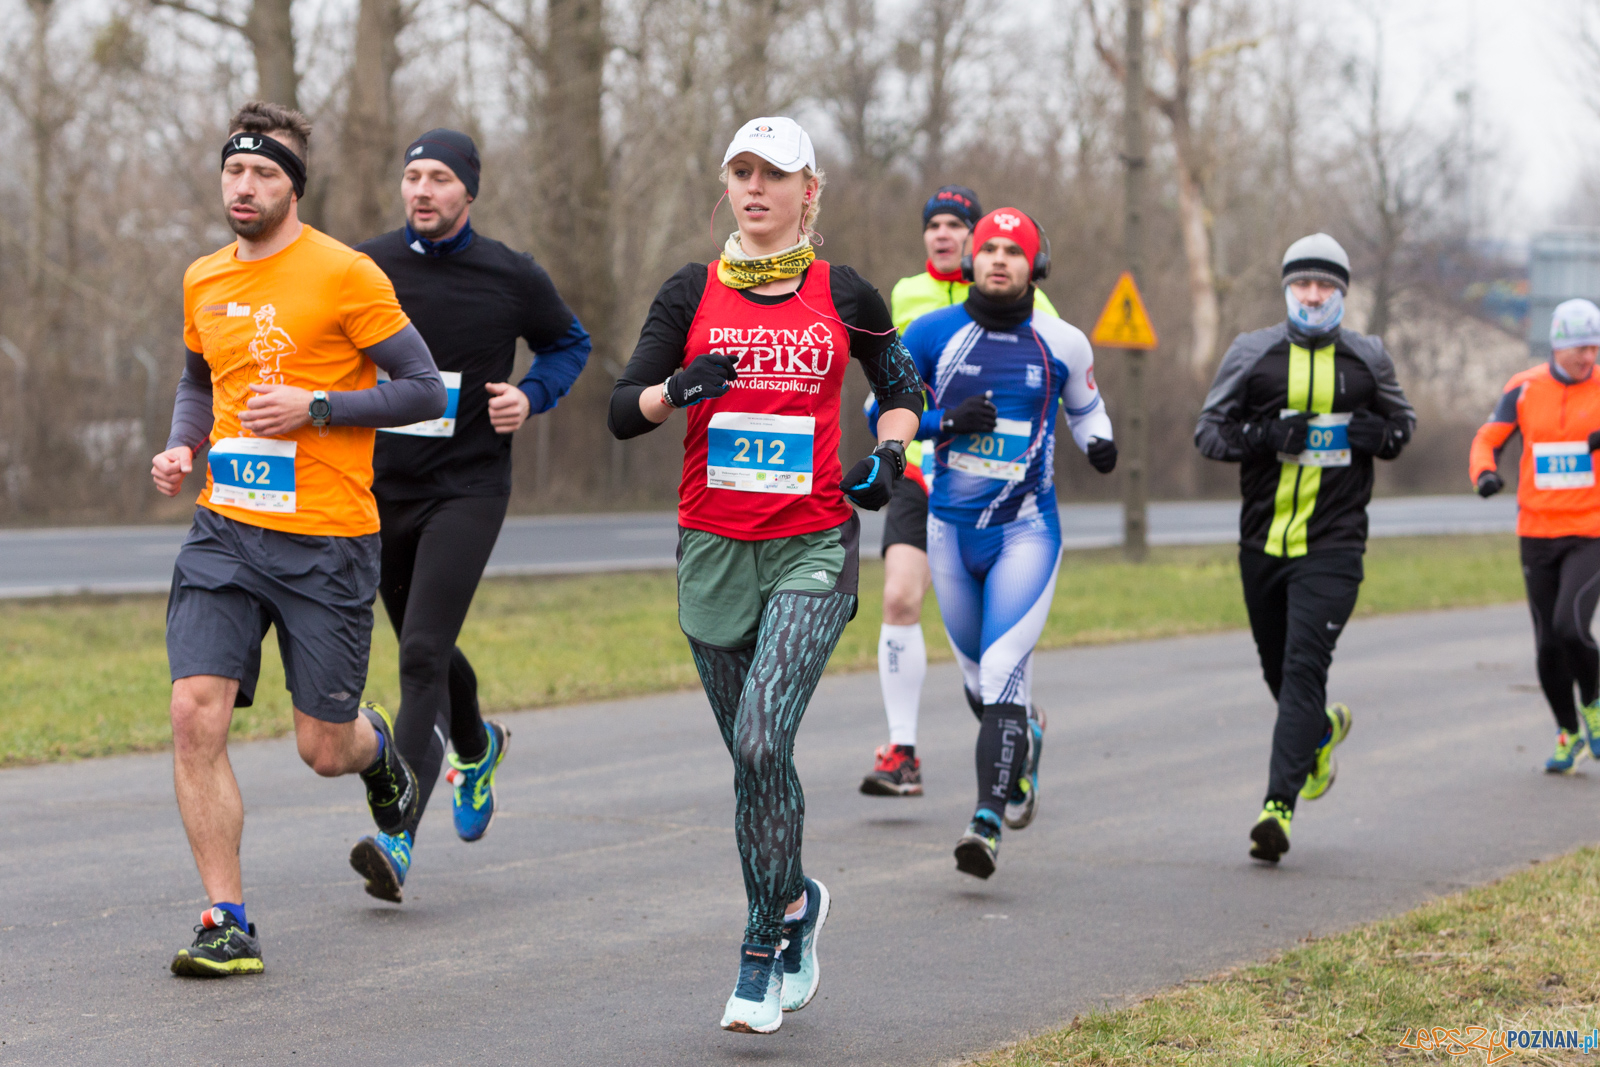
(759, 697)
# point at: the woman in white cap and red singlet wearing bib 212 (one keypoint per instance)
(756, 346)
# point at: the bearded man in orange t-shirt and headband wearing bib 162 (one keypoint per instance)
(286, 330)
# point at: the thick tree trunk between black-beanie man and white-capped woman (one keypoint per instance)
(577, 223)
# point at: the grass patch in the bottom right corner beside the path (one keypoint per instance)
(1439, 985)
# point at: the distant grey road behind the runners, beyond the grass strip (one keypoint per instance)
(140, 559)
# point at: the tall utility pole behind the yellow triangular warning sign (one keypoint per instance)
(1134, 433)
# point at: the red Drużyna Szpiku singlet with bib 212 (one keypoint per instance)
(762, 460)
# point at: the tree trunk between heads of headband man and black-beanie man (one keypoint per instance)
(370, 170)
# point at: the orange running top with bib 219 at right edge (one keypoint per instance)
(1558, 495)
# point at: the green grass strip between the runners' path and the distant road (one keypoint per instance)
(82, 677)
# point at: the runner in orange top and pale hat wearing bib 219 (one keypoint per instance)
(1556, 407)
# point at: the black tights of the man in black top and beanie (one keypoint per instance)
(433, 559)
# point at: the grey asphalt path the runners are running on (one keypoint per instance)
(599, 922)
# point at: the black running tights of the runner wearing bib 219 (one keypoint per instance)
(1564, 583)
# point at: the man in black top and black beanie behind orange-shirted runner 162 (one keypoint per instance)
(444, 486)
